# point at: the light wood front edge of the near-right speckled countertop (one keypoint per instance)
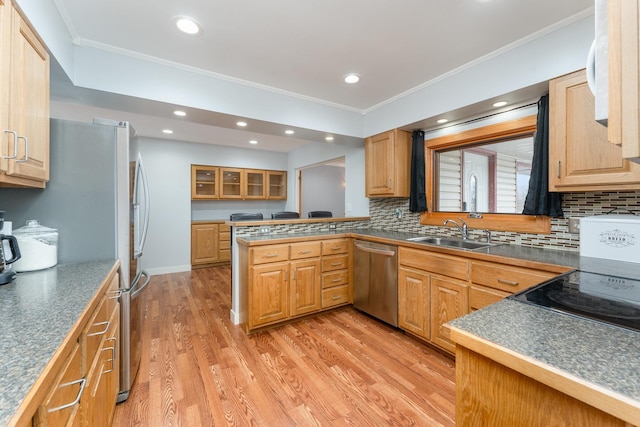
(611, 402)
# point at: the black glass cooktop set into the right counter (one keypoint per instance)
(610, 299)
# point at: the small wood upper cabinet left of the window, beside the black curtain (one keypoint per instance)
(388, 164)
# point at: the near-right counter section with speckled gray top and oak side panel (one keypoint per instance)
(518, 364)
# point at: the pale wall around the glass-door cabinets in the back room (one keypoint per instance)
(168, 166)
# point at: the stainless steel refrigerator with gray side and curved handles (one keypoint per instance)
(98, 199)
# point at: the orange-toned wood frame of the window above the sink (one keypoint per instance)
(512, 129)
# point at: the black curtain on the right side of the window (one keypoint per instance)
(539, 200)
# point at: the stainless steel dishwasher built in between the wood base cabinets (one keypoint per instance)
(375, 280)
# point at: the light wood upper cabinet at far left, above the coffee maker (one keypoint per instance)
(24, 102)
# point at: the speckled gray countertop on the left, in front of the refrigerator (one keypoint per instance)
(37, 311)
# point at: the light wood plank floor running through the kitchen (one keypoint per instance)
(336, 369)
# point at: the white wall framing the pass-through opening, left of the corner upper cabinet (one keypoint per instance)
(356, 203)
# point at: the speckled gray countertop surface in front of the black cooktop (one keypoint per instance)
(603, 355)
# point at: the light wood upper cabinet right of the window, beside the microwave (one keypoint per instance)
(580, 157)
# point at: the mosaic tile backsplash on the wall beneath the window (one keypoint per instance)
(383, 214)
